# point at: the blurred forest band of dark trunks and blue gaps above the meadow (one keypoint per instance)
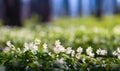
(46, 10)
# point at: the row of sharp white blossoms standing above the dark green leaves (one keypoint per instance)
(58, 48)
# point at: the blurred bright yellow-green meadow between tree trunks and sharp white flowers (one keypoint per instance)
(70, 31)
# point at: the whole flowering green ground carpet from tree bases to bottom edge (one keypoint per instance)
(81, 44)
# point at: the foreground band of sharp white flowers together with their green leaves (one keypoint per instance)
(63, 57)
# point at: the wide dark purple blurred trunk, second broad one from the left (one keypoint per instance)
(42, 8)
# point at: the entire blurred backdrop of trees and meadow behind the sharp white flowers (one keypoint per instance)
(75, 22)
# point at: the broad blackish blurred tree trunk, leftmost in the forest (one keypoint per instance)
(12, 13)
